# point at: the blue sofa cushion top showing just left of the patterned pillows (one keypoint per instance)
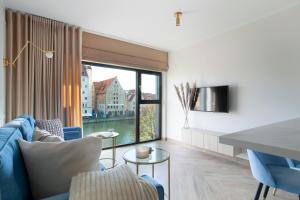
(24, 126)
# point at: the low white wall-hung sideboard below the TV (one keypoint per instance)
(208, 140)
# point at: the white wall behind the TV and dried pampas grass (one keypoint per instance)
(260, 62)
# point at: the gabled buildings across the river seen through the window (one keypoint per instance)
(106, 98)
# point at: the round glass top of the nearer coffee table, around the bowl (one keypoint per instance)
(157, 156)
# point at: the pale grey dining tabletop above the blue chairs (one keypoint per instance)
(281, 139)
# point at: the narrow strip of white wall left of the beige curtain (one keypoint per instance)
(2, 69)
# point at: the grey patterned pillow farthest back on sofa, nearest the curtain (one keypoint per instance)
(54, 126)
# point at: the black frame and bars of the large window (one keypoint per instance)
(139, 100)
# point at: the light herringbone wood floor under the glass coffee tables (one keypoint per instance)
(200, 175)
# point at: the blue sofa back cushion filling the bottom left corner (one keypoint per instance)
(13, 178)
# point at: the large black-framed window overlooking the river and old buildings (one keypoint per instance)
(125, 100)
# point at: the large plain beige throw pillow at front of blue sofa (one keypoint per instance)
(51, 165)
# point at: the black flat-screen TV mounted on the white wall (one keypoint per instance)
(211, 99)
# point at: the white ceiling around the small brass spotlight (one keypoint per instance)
(152, 22)
